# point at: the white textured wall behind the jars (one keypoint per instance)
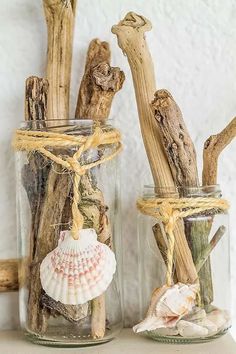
(193, 44)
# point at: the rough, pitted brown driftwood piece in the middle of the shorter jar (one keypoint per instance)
(181, 155)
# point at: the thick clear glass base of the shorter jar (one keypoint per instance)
(183, 340)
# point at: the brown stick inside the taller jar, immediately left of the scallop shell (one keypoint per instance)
(57, 190)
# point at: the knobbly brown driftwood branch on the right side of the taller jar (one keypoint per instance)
(98, 87)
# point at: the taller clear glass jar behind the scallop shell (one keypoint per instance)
(44, 203)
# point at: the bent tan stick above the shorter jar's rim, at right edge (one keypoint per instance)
(213, 147)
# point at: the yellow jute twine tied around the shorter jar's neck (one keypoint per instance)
(169, 210)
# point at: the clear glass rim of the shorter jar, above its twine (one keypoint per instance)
(150, 191)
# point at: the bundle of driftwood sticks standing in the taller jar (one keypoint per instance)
(48, 188)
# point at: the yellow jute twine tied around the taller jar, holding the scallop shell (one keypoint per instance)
(43, 142)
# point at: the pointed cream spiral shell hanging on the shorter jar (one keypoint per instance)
(168, 305)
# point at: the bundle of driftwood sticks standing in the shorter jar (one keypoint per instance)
(171, 153)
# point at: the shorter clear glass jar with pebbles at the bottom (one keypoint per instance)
(191, 310)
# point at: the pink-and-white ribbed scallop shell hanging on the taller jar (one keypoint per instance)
(77, 270)
